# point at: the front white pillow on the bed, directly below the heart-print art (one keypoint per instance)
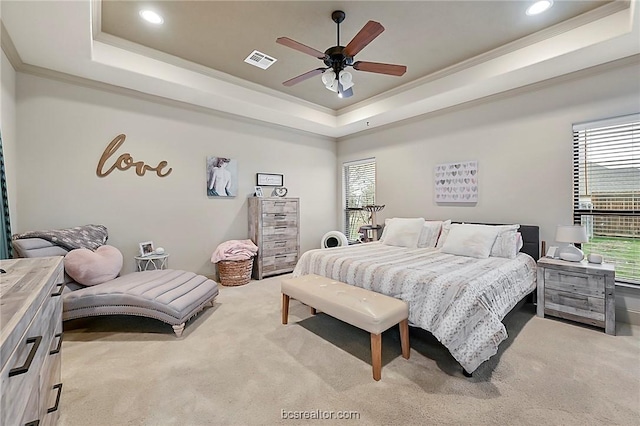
(470, 240)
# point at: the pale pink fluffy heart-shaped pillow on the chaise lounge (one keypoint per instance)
(93, 267)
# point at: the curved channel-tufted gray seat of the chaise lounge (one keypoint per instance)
(171, 296)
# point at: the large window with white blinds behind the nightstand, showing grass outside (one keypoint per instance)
(606, 191)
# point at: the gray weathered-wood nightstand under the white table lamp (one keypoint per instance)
(577, 291)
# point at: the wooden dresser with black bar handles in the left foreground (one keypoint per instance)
(30, 340)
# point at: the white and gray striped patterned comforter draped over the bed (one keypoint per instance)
(460, 300)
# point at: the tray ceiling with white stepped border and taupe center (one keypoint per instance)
(455, 51)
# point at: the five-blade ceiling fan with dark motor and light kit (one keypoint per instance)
(338, 57)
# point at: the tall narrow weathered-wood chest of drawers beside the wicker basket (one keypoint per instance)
(274, 228)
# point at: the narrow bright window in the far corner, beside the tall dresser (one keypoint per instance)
(359, 190)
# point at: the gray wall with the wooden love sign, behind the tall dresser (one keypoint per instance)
(64, 129)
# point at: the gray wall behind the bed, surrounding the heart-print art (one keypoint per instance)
(523, 145)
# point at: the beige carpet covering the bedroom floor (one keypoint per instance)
(237, 365)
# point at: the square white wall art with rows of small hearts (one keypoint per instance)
(456, 182)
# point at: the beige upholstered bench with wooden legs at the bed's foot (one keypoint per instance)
(367, 310)
